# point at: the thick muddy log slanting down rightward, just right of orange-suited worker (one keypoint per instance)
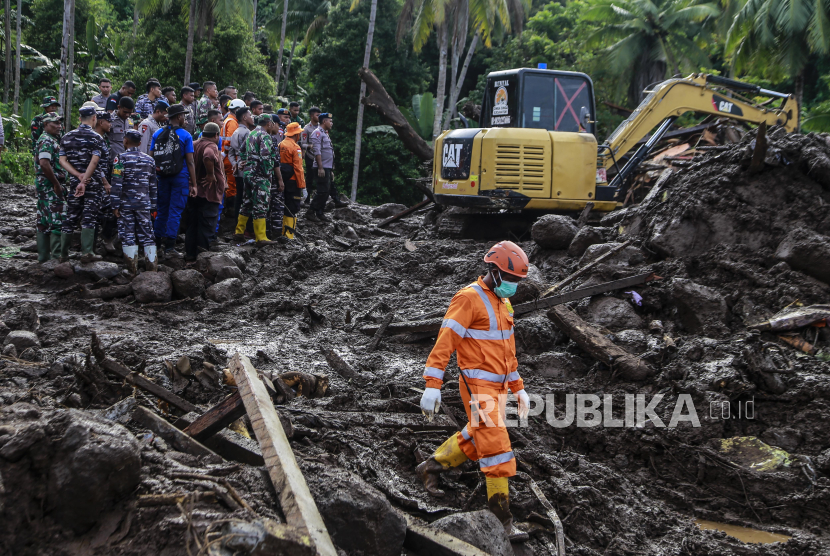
(598, 346)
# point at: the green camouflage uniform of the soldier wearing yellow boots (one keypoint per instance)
(260, 159)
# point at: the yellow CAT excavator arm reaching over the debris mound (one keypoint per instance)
(697, 93)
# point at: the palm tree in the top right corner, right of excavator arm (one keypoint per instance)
(778, 36)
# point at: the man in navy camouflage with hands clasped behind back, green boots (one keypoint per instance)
(81, 151)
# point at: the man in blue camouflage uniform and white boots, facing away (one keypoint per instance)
(133, 197)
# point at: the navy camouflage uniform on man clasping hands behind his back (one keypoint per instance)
(79, 146)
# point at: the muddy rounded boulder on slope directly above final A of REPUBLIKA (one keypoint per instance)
(700, 309)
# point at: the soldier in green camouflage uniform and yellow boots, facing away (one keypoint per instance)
(259, 161)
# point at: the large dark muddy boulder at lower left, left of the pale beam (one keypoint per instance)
(95, 464)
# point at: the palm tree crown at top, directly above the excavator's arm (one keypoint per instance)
(646, 38)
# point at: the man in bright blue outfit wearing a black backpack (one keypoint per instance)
(173, 191)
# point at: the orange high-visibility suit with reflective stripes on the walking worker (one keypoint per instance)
(478, 326)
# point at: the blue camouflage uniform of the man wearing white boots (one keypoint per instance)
(134, 192)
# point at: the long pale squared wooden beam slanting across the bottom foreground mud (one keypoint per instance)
(295, 499)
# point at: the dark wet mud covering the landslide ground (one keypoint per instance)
(711, 232)
